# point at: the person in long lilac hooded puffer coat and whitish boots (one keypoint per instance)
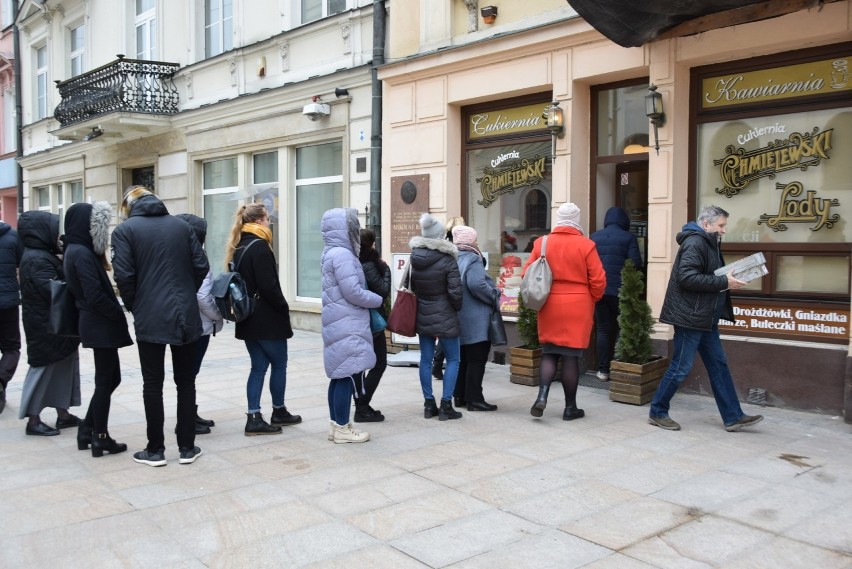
(347, 341)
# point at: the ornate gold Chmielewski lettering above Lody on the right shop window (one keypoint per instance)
(798, 151)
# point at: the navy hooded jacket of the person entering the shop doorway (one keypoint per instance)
(615, 244)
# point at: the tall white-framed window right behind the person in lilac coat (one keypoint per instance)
(319, 187)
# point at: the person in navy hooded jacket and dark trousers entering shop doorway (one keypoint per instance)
(615, 244)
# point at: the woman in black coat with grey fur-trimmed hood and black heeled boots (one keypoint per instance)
(102, 323)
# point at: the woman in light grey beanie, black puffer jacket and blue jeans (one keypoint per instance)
(436, 281)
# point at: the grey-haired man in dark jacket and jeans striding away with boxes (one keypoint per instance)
(695, 301)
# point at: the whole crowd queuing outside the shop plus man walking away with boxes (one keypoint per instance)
(164, 279)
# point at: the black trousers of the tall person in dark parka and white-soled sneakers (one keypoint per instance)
(151, 359)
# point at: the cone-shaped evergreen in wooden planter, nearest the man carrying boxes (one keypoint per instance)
(635, 371)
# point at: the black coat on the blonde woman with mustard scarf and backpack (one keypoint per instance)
(271, 317)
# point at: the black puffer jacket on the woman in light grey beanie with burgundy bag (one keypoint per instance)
(436, 281)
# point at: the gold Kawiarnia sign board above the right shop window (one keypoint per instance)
(790, 81)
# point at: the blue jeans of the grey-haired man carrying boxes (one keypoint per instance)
(709, 346)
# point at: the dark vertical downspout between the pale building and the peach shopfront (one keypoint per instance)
(375, 220)
